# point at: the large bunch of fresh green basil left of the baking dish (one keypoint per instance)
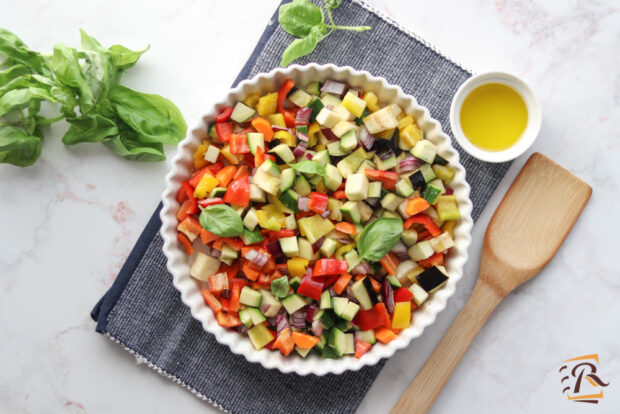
(85, 83)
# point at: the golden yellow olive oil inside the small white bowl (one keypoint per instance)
(493, 116)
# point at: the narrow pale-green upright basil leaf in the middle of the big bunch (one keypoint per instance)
(66, 66)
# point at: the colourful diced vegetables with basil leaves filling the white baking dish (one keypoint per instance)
(319, 219)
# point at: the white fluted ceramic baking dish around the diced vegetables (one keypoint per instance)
(179, 262)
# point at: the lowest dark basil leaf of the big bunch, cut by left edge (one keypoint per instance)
(18, 148)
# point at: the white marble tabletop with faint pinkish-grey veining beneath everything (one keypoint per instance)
(69, 222)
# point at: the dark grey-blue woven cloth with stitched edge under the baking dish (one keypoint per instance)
(143, 311)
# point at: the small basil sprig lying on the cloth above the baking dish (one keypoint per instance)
(306, 21)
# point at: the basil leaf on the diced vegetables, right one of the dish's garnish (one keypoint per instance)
(379, 237)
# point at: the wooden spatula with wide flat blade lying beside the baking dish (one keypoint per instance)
(525, 232)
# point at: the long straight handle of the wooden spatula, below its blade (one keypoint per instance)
(423, 390)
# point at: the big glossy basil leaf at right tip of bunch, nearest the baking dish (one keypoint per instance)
(154, 118)
